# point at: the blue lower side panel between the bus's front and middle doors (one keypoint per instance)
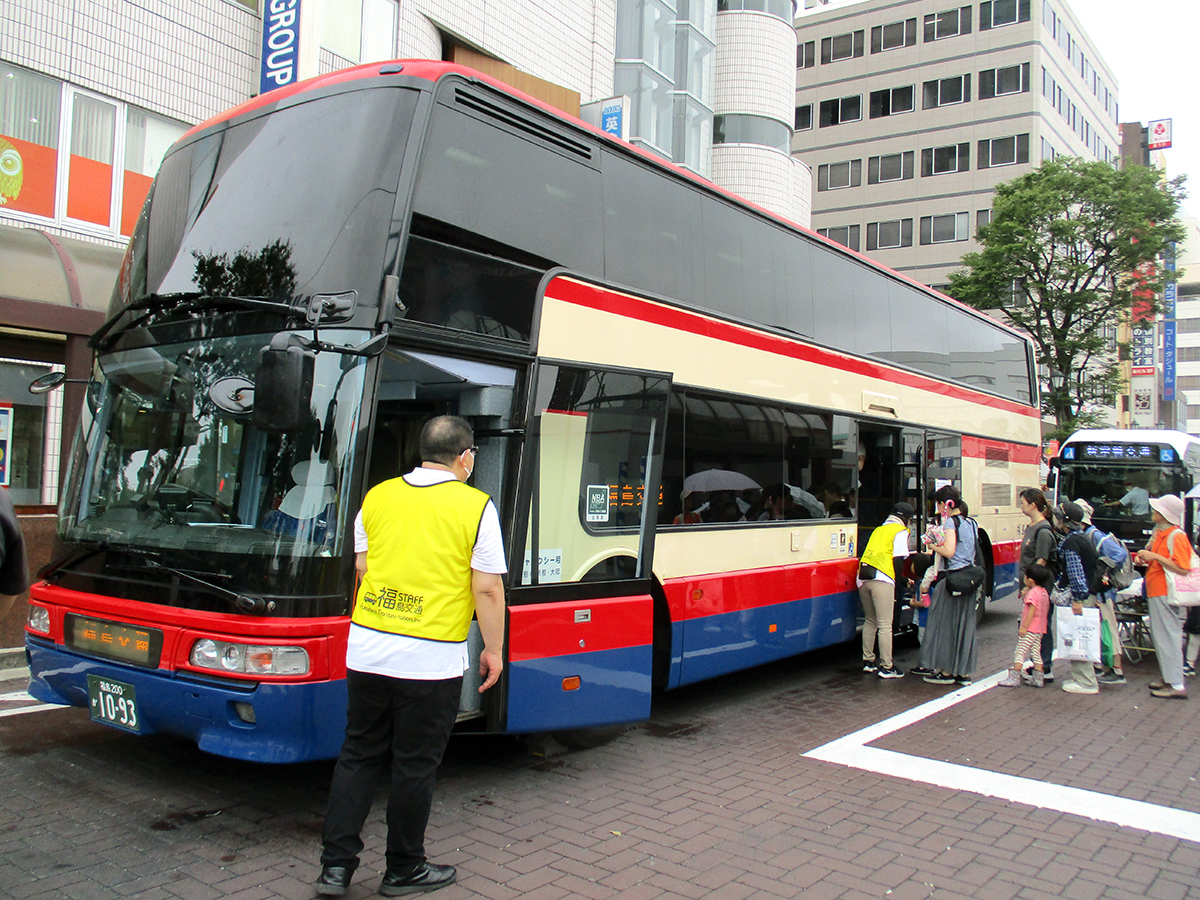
(729, 643)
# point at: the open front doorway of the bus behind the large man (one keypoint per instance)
(413, 388)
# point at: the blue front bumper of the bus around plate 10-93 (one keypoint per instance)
(293, 723)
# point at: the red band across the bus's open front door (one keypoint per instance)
(544, 631)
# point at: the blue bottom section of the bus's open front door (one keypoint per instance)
(615, 687)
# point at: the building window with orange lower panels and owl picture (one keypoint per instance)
(80, 183)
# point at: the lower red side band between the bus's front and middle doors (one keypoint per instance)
(751, 590)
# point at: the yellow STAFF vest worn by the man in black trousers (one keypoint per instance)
(419, 548)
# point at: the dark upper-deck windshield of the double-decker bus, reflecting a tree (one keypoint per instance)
(287, 205)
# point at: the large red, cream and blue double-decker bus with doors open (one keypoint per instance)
(689, 412)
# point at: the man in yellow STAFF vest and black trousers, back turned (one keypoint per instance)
(430, 553)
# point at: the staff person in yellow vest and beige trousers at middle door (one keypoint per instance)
(878, 573)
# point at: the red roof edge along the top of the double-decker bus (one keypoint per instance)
(434, 70)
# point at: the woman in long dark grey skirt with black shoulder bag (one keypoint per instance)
(950, 649)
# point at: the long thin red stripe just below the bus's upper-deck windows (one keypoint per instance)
(597, 298)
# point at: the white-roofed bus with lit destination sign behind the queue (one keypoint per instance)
(1118, 471)
